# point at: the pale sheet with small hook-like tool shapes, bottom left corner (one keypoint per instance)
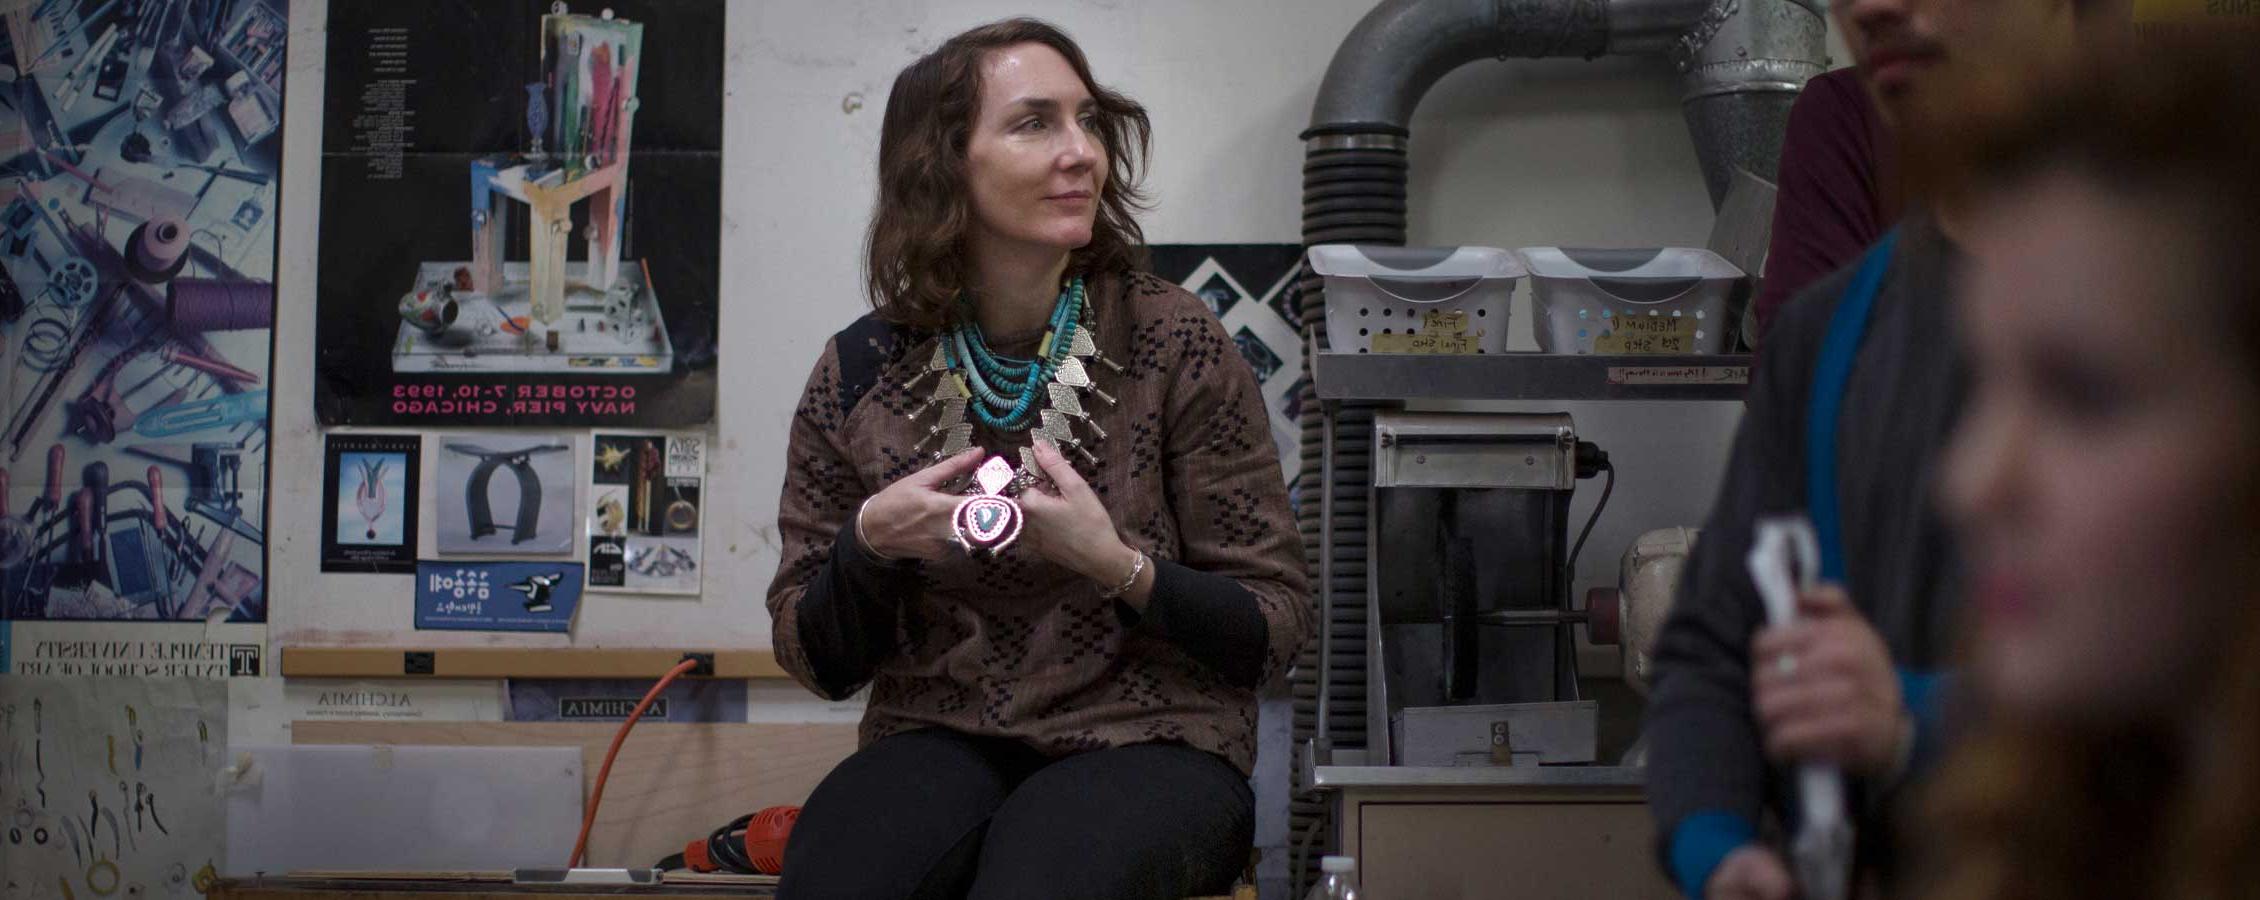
(112, 786)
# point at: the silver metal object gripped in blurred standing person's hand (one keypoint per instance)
(1784, 562)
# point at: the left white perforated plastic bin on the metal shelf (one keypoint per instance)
(1418, 300)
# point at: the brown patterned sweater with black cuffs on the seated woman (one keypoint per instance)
(1023, 648)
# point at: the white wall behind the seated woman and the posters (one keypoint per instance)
(1529, 153)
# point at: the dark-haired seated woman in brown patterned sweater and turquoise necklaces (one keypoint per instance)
(1034, 503)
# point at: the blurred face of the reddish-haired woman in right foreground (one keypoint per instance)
(2101, 474)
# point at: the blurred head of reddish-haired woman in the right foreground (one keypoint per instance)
(2107, 490)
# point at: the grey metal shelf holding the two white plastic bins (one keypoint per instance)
(1529, 377)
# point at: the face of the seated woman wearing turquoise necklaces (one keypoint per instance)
(1034, 162)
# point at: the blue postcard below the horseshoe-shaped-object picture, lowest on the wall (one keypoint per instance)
(496, 596)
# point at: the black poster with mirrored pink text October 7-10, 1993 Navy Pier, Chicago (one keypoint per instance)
(521, 214)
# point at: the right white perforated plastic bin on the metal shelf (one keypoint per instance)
(1674, 300)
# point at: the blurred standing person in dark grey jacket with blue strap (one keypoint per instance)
(1848, 417)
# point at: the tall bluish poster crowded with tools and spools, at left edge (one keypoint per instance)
(139, 198)
